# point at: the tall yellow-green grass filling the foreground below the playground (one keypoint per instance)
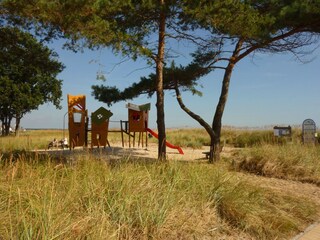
(93, 199)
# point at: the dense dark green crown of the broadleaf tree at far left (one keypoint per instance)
(28, 73)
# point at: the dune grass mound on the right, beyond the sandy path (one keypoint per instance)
(294, 161)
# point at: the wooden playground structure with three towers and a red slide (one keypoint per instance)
(79, 130)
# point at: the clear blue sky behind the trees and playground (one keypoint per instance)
(264, 90)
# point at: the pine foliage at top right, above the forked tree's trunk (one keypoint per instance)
(255, 19)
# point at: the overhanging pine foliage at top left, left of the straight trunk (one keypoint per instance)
(125, 26)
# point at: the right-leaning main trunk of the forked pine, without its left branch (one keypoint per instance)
(217, 120)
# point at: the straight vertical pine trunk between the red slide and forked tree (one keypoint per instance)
(159, 84)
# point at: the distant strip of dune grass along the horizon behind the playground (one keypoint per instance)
(194, 138)
